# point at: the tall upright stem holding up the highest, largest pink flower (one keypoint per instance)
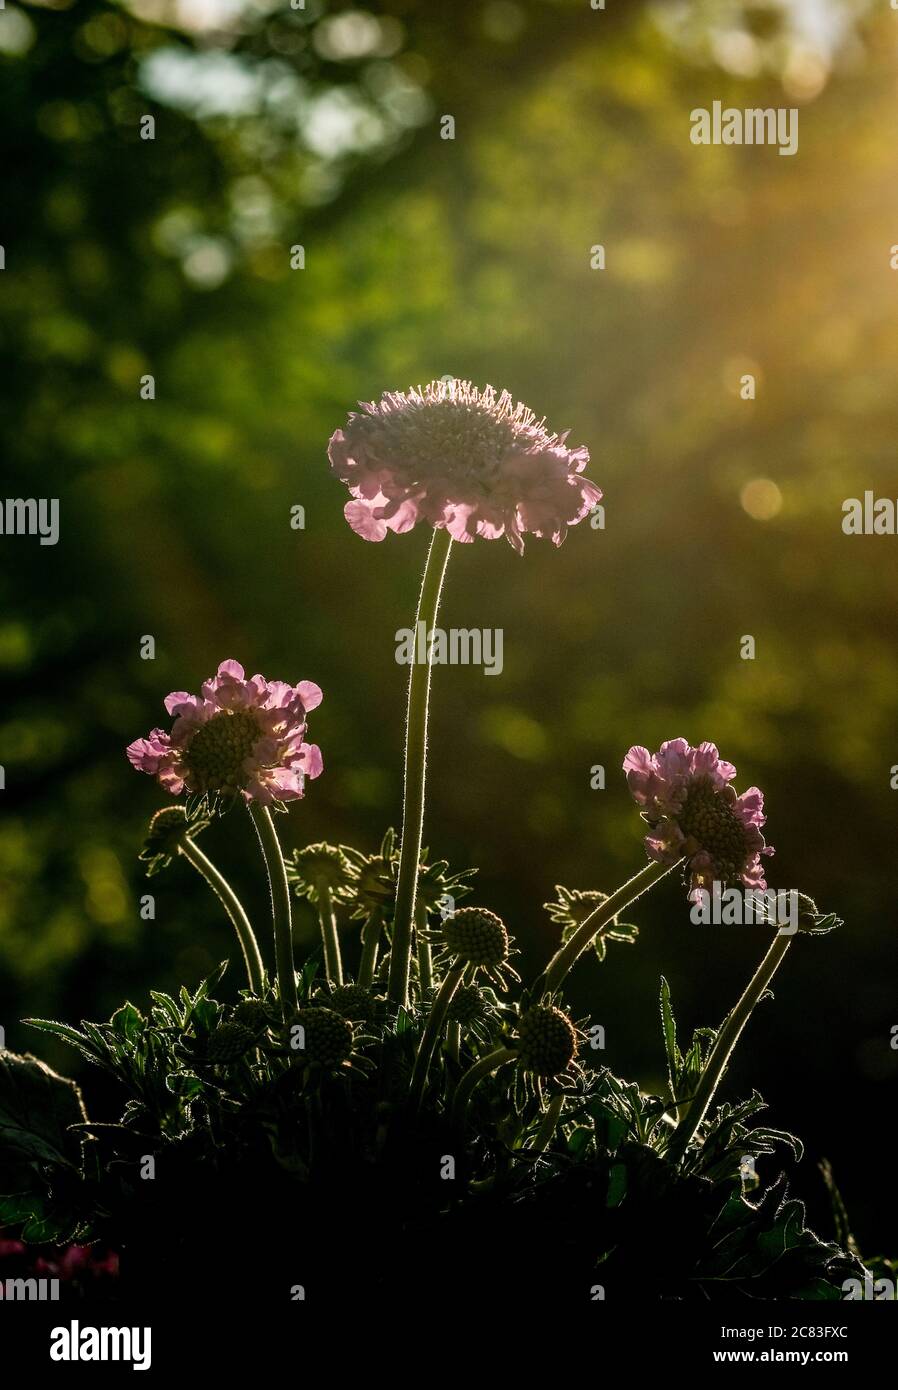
(415, 771)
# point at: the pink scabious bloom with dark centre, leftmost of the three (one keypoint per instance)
(238, 736)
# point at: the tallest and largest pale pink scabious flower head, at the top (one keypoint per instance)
(454, 457)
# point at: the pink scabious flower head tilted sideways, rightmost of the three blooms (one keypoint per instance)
(694, 814)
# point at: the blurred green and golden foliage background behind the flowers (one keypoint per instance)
(320, 127)
